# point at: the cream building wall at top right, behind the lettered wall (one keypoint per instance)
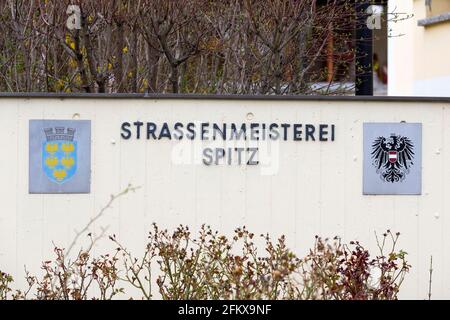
(418, 55)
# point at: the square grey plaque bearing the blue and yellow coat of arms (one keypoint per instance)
(59, 156)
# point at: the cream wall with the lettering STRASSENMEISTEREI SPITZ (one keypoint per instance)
(316, 191)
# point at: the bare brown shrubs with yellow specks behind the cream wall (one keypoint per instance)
(189, 46)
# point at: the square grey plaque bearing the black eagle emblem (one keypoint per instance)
(392, 163)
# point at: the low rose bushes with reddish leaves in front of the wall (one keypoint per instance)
(213, 266)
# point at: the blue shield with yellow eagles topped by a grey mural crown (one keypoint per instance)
(59, 155)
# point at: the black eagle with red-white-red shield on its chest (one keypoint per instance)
(393, 157)
